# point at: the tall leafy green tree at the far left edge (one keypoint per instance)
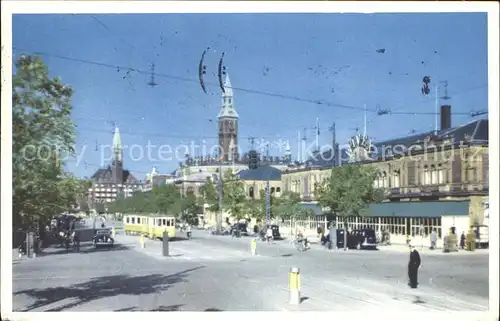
(43, 135)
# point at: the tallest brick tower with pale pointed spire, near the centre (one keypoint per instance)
(228, 125)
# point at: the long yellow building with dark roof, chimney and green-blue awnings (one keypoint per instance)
(426, 178)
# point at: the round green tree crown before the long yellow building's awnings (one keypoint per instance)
(348, 190)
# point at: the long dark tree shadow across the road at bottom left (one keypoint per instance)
(104, 287)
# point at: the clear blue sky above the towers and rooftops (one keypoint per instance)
(323, 57)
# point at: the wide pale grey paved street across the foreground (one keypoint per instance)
(219, 273)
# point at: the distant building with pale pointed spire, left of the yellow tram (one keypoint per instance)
(113, 182)
